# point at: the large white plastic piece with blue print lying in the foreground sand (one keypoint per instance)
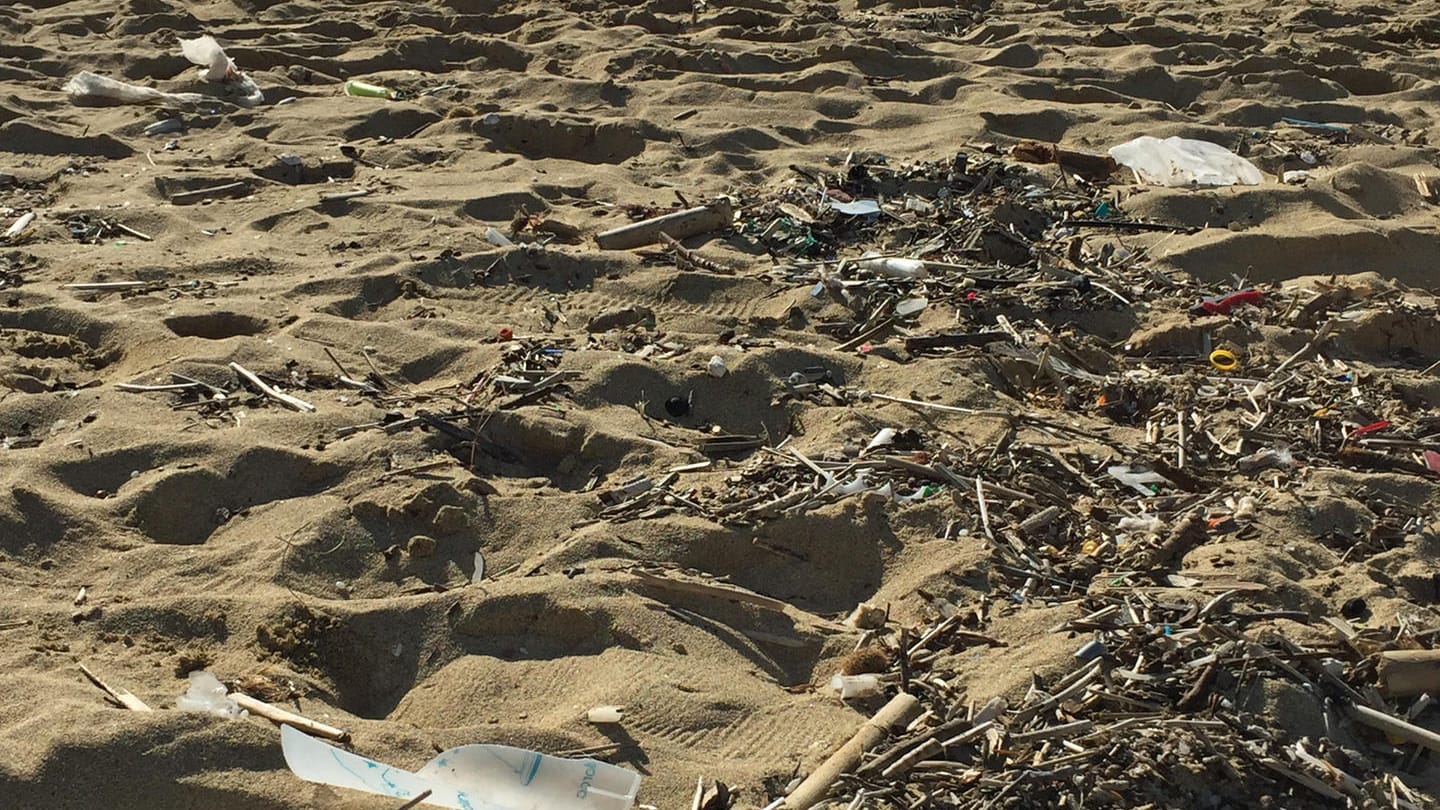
(472, 778)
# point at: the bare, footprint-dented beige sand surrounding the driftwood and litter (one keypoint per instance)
(218, 540)
